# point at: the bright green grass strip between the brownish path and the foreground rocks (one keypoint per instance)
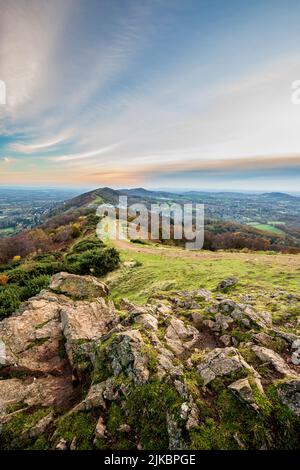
(157, 272)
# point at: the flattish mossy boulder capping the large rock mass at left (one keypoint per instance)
(78, 287)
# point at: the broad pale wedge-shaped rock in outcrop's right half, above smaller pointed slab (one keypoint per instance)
(222, 362)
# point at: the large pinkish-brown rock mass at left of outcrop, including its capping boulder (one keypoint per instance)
(44, 338)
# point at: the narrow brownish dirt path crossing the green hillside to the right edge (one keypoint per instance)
(292, 261)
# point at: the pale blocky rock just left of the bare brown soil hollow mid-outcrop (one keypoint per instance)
(180, 337)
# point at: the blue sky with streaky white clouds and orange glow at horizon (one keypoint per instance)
(153, 93)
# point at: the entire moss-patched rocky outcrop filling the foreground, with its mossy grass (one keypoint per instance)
(107, 377)
